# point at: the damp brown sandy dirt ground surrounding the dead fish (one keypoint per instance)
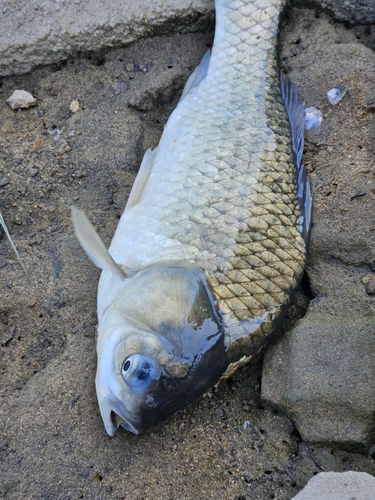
(52, 442)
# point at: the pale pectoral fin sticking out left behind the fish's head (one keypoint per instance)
(92, 243)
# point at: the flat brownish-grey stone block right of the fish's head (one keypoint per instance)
(322, 374)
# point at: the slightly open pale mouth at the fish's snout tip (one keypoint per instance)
(115, 415)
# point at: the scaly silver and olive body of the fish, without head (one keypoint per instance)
(222, 192)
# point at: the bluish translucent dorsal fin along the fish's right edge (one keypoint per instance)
(296, 112)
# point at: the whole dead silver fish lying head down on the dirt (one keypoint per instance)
(212, 243)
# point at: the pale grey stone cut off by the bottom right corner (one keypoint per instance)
(339, 485)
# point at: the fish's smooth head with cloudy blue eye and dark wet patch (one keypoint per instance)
(154, 363)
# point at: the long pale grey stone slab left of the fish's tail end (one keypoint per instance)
(34, 33)
